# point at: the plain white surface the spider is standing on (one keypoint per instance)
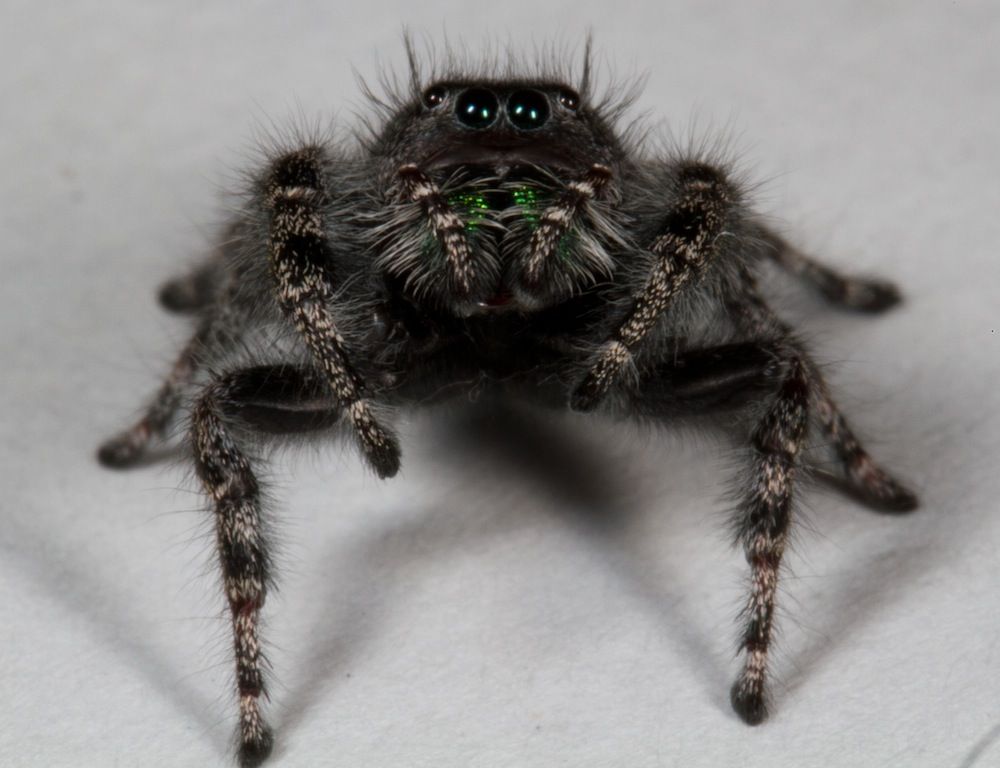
(469, 613)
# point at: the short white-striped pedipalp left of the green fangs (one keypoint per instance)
(447, 226)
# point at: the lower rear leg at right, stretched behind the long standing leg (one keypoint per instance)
(862, 472)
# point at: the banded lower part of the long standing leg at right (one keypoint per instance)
(764, 518)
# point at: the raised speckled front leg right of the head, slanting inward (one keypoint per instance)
(682, 251)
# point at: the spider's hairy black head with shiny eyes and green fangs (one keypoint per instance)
(501, 194)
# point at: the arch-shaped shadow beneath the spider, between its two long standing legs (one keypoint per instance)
(593, 493)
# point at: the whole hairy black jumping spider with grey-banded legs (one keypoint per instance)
(496, 230)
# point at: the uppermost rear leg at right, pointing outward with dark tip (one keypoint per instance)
(863, 295)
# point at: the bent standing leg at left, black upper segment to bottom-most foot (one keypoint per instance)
(270, 399)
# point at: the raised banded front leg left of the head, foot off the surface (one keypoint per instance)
(300, 264)
